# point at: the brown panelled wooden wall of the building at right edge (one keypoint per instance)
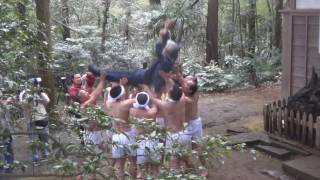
(300, 48)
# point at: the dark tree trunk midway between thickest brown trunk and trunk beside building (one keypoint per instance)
(252, 27)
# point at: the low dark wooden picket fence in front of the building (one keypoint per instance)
(292, 125)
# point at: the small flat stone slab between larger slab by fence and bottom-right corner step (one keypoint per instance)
(274, 151)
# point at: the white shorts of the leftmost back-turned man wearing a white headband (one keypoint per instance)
(122, 144)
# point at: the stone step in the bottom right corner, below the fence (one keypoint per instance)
(306, 168)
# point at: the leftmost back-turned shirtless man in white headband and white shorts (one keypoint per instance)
(118, 107)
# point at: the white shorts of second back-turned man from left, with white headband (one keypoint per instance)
(148, 151)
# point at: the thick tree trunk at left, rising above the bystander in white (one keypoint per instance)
(44, 55)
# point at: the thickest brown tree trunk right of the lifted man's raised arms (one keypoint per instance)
(212, 32)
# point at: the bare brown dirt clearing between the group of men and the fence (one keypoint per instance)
(236, 109)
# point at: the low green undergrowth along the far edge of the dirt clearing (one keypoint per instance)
(234, 71)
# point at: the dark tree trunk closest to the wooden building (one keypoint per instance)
(277, 24)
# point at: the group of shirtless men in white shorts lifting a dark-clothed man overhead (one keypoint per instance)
(160, 93)
